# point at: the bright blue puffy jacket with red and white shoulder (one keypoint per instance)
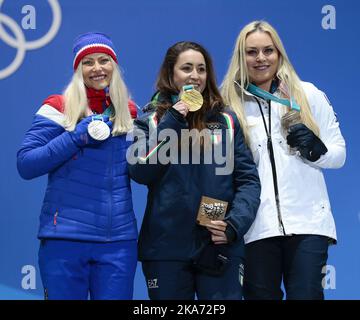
(88, 195)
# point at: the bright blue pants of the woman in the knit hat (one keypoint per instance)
(73, 270)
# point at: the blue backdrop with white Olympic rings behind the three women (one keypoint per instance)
(36, 60)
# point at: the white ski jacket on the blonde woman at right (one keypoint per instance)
(303, 198)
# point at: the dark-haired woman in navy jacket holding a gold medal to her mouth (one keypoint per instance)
(181, 257)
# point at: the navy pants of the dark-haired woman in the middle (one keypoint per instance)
(179, 280)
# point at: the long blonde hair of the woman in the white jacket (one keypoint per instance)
(238, 72)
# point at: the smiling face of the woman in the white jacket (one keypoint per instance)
(262, 59)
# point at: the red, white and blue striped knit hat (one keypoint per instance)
(92, 42)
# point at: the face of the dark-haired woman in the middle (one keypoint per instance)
(190, 68)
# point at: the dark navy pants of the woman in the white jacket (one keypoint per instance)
(296, 260)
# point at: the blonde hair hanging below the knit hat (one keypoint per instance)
(77, 107)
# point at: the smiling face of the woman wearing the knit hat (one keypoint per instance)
(97, 70)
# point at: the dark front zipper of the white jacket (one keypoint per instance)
(273, 166)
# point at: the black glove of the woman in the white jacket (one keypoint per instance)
(303, 139)
